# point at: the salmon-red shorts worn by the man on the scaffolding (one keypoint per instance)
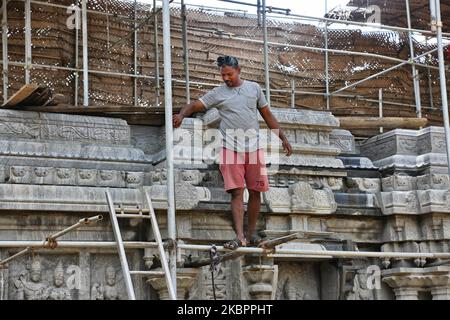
(240, 169)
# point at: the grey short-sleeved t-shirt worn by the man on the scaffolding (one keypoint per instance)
(238, 110)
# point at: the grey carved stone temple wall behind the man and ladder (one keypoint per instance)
(392, 195)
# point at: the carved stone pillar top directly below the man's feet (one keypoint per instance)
(261, 281)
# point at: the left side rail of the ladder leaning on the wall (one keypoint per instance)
(120, 247)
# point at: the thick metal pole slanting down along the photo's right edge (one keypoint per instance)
(443, 82)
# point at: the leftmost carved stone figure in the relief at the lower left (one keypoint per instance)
(32, 289)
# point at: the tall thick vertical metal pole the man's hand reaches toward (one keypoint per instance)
(169, 140)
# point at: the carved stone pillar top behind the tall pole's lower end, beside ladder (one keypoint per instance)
(185, 280)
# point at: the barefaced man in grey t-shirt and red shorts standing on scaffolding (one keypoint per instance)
(241, 160)
